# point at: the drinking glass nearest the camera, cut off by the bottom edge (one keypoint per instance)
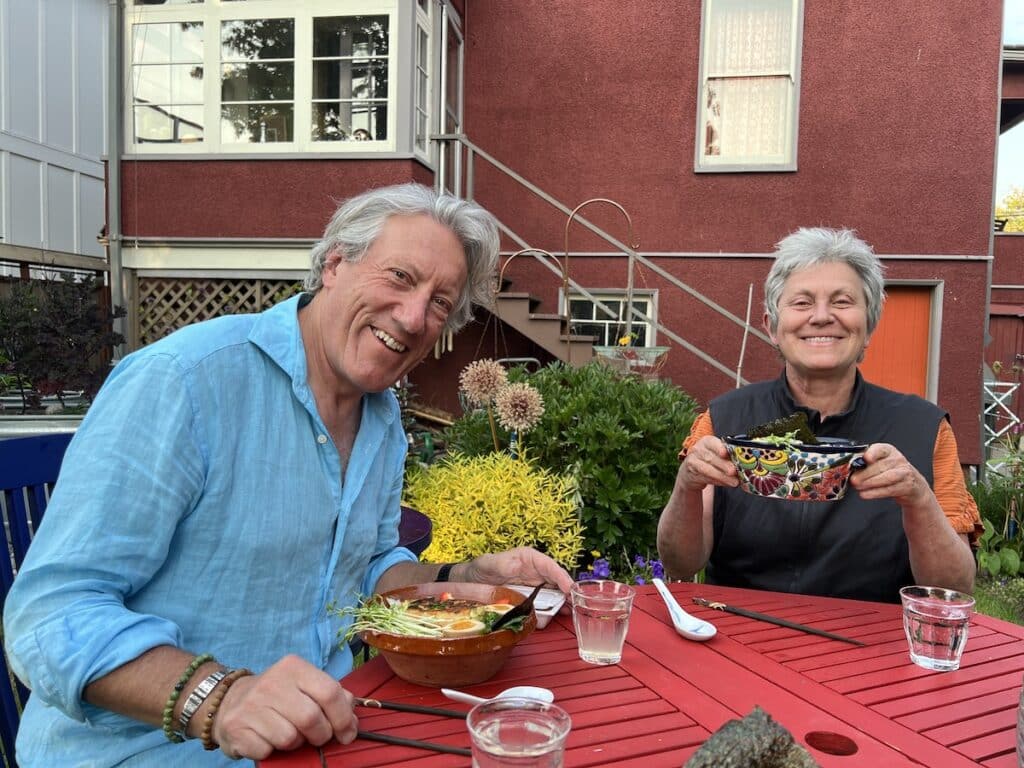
(521, 733)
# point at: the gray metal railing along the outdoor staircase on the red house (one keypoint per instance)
(464, 155)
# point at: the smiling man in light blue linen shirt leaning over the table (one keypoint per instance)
(231, 482)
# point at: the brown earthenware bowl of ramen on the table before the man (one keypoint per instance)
(455, 661)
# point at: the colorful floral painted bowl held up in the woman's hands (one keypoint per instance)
(801, 474)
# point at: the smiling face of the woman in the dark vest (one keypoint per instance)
(823, 322)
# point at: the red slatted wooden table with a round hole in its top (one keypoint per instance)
(669, 695)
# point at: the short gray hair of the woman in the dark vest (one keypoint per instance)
(814, 246)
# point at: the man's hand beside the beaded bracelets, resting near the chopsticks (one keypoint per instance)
(293, 703)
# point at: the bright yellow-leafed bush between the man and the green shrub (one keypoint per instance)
(496, 502)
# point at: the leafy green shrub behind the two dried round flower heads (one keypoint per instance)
(618, 436)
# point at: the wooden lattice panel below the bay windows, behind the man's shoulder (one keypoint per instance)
(165, 305)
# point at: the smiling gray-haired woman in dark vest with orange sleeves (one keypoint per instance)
(909, 518)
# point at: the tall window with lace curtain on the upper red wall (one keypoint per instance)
(750, 77)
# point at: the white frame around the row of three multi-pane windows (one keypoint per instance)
(212, 13)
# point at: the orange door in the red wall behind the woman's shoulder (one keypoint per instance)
(898, 356)
